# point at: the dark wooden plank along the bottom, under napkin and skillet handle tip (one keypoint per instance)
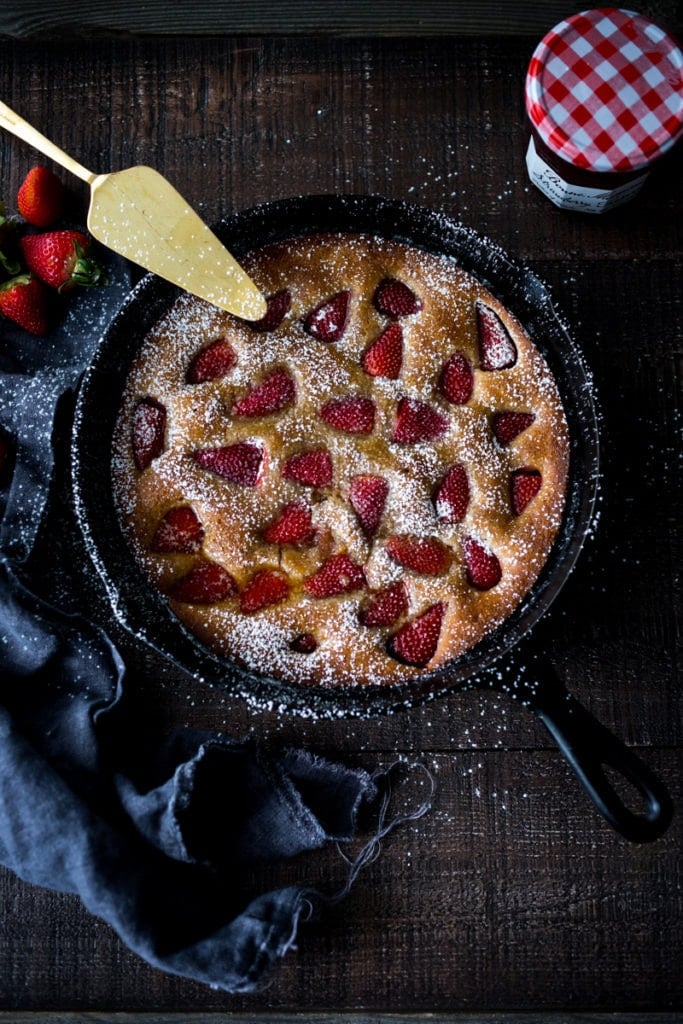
(509, 893)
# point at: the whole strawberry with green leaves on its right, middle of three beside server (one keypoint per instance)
(60, 259)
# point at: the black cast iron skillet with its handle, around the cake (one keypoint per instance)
(589, 747)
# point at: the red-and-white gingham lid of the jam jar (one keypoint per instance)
(605, 91)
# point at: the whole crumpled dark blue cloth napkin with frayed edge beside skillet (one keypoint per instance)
(157, 837)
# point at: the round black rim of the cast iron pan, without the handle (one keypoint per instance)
(142, 610)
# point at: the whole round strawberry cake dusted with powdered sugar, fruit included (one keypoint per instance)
(360, 487)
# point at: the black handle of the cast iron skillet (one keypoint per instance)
(590, 749)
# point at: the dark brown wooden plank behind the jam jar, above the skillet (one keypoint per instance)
(255, 120)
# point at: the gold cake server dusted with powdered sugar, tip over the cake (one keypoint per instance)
(139, 215)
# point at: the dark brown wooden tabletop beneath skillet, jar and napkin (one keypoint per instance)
(513, 894)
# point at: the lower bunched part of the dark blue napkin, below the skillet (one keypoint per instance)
(164, 862)
